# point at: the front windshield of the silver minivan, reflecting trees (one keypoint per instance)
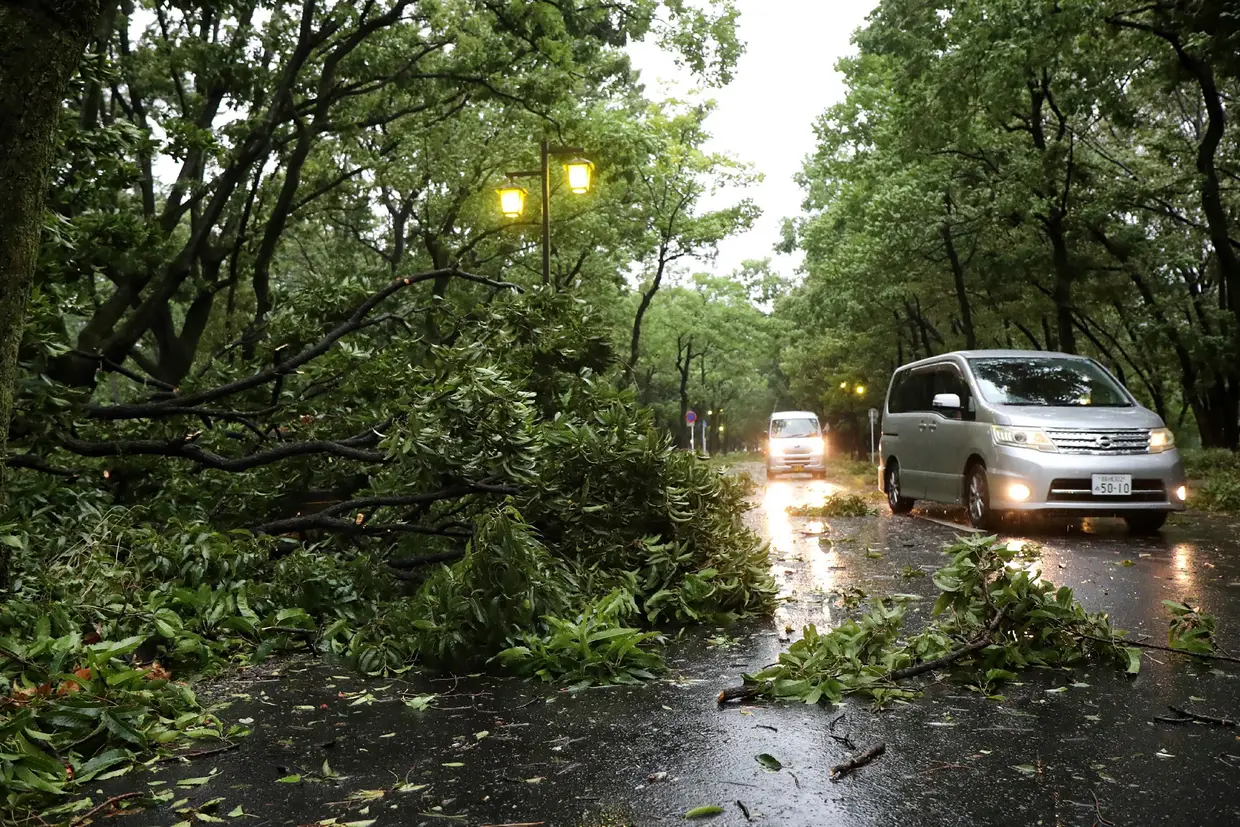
(1051, 383)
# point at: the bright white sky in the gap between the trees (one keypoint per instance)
(783, 82)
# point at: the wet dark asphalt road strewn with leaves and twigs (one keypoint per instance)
(1061, 750)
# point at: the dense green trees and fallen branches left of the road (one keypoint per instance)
(292, 383)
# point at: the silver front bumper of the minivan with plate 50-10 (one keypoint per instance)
(1063, 483)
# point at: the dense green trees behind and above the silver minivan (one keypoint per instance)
(1027, 174)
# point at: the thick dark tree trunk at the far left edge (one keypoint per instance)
(40, 48)
